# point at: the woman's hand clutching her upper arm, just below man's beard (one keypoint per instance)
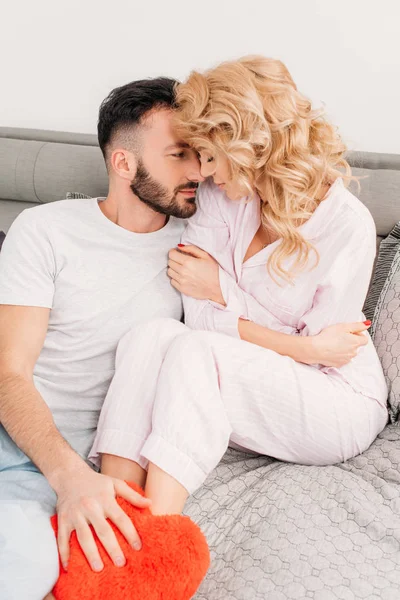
(195, 273)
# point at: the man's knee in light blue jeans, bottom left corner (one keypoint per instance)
(29, 564)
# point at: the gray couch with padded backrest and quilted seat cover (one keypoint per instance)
(277, 531)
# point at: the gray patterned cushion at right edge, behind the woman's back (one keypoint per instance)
(385, 329)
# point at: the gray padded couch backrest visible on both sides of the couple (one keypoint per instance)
(42, 166)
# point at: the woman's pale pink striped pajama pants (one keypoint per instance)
(179, 397)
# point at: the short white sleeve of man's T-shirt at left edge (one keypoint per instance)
(27, 264)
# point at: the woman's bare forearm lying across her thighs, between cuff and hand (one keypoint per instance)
(297, 347)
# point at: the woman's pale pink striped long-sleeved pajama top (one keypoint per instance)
(342, 231)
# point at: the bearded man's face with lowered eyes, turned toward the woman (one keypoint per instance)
(168, 171)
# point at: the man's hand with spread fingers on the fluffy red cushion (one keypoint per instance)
(88, 498)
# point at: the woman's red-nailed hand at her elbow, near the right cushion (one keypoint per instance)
(336, 345)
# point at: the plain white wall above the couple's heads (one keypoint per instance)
(60, 58)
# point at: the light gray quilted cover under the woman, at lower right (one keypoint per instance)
(280, 531)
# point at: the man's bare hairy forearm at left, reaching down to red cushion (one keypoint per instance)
(29, 422)
